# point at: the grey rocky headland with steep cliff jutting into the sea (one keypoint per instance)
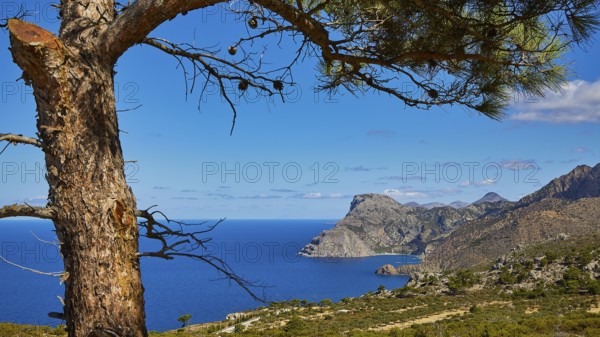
(377, 224)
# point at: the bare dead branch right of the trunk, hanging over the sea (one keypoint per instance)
(177, 242)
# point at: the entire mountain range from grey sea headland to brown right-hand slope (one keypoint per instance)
(449, 237)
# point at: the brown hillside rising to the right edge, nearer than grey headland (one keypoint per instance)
(568, 205)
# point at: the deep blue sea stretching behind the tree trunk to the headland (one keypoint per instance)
(264, 252)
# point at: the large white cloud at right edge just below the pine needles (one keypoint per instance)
(578, 103)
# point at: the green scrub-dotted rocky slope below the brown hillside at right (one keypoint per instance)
(565, 264)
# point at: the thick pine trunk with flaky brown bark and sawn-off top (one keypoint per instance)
(95, 220)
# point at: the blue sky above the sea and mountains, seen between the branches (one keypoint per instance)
(307, 157)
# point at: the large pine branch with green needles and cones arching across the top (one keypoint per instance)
(469, 53)
